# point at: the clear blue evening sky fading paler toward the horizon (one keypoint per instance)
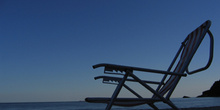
(47, 48)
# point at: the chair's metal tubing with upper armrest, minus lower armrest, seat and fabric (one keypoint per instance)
(129, 73)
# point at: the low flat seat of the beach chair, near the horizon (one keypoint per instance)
(123, 101)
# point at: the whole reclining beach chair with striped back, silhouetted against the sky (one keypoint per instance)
(177, 69)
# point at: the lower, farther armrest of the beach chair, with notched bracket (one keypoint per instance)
(109, 79)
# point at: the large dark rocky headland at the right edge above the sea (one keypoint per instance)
(214, 91)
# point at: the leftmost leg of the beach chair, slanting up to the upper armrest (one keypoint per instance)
(117, 90)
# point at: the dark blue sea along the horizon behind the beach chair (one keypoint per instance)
(81, 105)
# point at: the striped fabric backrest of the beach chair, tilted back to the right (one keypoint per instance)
(186, 52)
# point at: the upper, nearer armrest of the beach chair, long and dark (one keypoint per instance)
(121, 68)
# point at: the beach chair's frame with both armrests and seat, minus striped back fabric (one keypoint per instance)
(128, 72)
